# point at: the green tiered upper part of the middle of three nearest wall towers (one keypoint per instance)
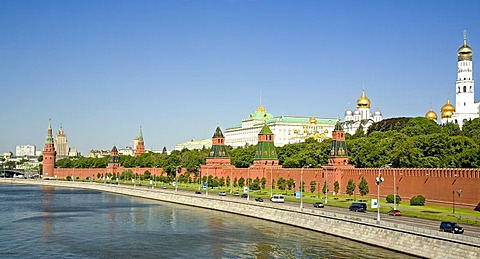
(265, 154)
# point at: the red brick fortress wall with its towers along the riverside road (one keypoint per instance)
(439, 186)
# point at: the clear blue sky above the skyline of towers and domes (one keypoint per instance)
(177, 68)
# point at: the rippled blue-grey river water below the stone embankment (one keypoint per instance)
(50, 222)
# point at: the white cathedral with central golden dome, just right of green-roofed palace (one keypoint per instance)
(361, 117)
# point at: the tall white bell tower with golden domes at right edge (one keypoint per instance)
(465, 106)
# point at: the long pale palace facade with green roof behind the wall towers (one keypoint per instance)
(287, 129)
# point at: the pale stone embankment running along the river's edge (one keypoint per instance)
(398, 237)
